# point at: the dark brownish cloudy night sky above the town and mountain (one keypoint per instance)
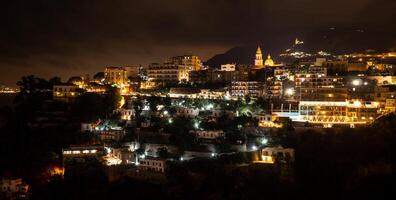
(64, 38)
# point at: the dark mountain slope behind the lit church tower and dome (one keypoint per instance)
(336, 41)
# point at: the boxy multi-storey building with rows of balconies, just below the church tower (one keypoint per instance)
(244, 88)
